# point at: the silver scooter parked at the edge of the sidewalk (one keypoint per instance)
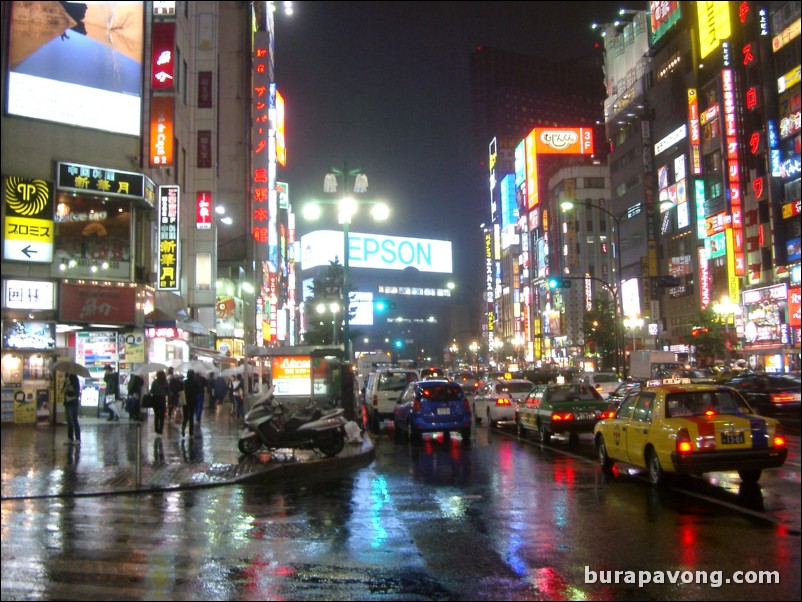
(270, 424)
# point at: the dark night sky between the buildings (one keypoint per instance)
(385, 86)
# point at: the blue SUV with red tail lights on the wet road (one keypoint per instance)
(432, 406)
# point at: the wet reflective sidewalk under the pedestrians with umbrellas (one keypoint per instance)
(37, 463)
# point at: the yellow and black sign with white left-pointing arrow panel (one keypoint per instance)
(28, 223)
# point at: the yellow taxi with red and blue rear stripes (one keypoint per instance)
(673, 426)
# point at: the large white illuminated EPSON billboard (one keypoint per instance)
(376, 251)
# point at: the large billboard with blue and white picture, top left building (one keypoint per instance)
(82, 68)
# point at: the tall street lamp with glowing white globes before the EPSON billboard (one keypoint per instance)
(347, 207)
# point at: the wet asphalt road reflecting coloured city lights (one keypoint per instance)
(499, 519)
